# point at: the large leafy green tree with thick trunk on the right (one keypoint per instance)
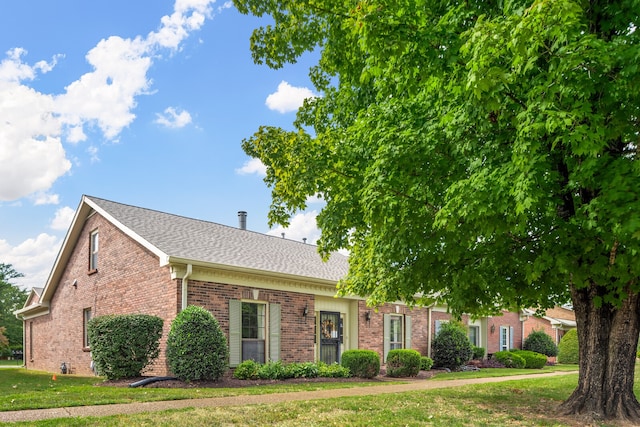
(486, 153)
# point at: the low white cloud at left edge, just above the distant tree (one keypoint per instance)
(34, 258)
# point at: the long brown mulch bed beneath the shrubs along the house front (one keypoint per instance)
(229, 382)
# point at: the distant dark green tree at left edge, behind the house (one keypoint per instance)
(11, 298)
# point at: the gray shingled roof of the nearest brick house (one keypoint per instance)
(208, 242)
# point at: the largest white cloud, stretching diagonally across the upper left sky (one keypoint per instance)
(34, 125)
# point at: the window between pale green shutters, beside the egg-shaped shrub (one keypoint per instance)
(253, 331)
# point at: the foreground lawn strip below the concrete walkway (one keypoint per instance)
(520, 403)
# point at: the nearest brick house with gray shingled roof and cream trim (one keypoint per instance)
(273, 297)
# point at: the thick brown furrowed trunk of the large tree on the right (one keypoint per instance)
(607, 337)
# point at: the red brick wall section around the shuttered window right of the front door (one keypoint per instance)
(370, 333)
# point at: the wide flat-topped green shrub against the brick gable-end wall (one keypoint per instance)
(123, 346)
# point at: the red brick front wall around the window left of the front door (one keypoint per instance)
(296, 330)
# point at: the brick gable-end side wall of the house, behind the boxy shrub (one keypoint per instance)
(128, 280)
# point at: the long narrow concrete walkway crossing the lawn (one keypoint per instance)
(133, 408)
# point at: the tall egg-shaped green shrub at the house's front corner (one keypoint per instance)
(196, 347)
